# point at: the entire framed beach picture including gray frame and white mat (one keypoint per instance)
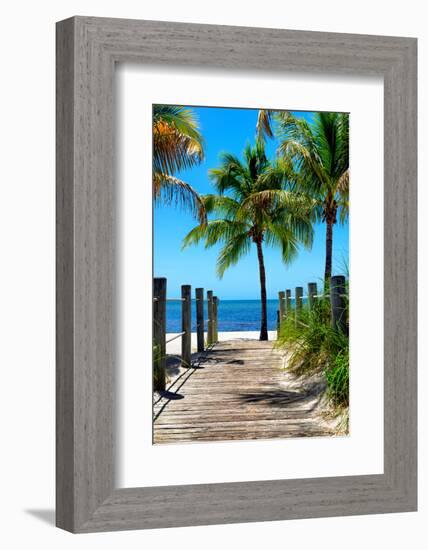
(236, 274)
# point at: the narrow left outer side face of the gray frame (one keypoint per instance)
(65, 277)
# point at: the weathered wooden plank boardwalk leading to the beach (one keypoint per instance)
(240, 390)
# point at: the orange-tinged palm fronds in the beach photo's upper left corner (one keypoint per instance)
(177, 145)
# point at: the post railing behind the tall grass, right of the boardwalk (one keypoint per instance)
(337, 296)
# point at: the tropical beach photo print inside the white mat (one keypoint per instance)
(264, 365)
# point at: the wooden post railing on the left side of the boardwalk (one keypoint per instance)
(160, 341)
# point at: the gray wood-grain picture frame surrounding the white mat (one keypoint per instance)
(87, 50)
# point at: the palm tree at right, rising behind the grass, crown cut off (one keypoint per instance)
(319, 152)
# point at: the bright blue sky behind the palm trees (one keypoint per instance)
(230, 130)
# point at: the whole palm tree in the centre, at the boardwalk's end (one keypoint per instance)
(251, 207)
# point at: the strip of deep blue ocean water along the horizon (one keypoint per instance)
(233, 315)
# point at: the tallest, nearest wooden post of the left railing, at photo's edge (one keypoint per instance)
(159, 333)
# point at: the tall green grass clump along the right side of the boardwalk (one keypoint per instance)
(314, 346)
